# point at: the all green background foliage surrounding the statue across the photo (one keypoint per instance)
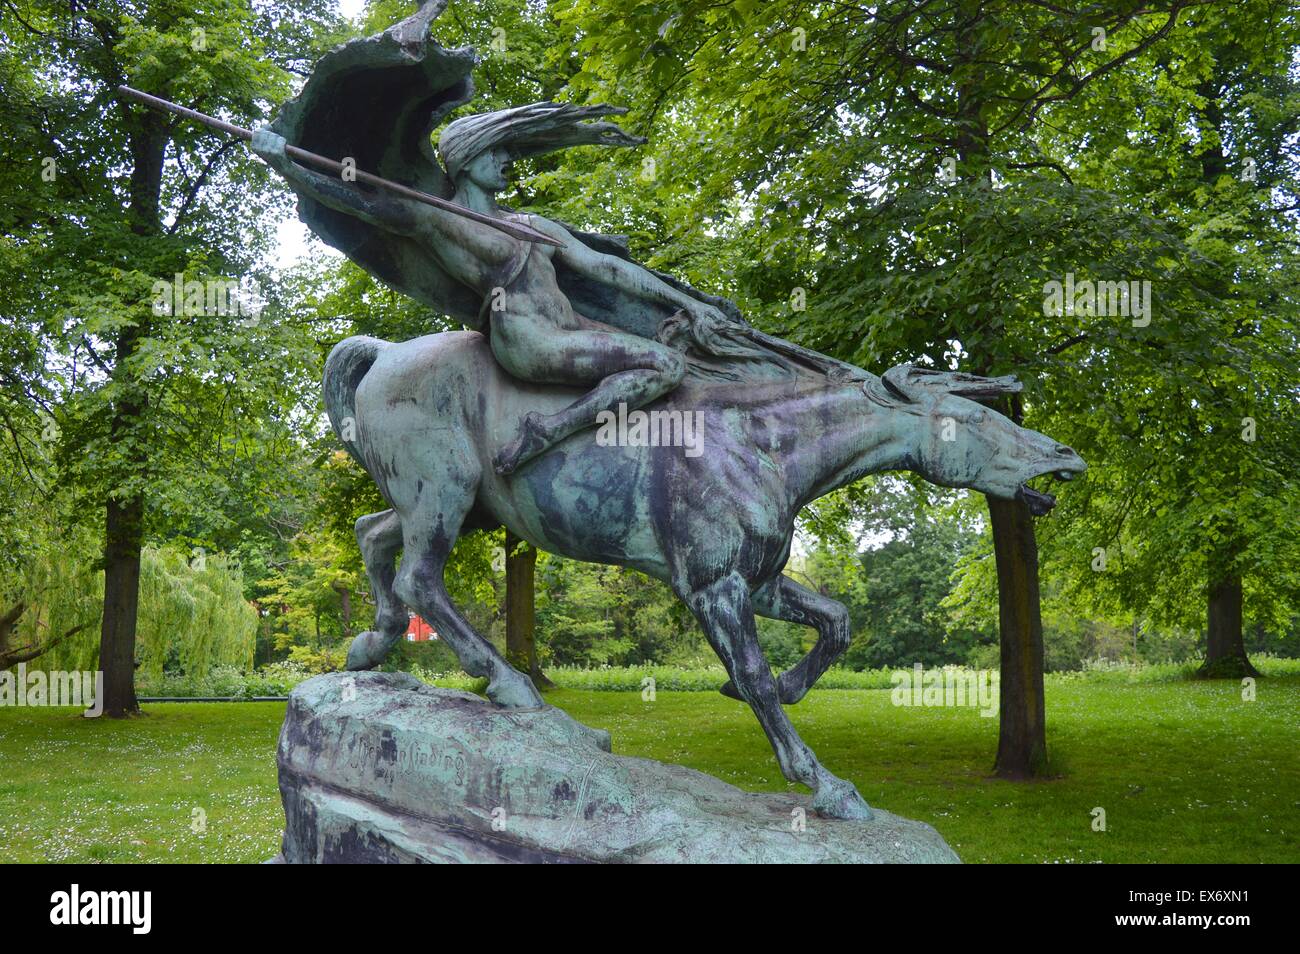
(792, 148)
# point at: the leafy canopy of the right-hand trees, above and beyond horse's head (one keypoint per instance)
(805, 148)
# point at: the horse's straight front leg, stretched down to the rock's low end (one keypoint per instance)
(725, 612)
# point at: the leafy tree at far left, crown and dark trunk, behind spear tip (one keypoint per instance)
(136, 198)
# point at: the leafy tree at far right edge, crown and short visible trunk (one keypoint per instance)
(1201, 445)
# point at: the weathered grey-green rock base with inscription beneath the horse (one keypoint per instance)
(380, 767)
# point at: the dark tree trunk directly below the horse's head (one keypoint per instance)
(1022, 744)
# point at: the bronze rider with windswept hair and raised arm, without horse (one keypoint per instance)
(534, 331)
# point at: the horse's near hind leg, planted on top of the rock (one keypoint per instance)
(428, 540)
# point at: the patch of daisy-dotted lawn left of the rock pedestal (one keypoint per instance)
(76, 790)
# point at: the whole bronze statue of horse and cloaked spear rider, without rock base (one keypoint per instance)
(492, 427)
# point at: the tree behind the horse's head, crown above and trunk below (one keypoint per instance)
(896, 198)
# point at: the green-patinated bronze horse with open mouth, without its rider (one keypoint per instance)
(426, 418)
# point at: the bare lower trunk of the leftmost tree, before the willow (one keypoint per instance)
(124, 539)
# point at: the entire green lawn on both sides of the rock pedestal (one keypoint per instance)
(1185, 771)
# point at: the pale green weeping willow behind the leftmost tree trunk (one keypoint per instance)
(193, 614)
